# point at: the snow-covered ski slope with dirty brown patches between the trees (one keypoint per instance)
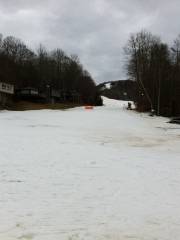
(105, 174)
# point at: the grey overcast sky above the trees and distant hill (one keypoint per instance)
(95, 30)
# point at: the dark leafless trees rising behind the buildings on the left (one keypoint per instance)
(23, 67)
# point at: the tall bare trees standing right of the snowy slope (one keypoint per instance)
(155, 67)
